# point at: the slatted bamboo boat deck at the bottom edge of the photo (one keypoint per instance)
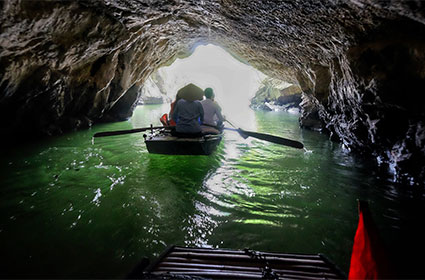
(204, 263)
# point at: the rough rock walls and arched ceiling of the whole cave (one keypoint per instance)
(360, 64)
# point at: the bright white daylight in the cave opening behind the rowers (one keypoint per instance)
(234, 83)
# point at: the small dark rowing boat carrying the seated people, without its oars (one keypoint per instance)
(163, 142)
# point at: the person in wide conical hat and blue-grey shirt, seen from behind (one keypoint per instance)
(188, 112)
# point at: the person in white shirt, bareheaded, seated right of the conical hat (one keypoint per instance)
(213, 119)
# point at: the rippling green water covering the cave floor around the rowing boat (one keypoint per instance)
(75, 208)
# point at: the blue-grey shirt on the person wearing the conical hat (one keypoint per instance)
(188, 115)
